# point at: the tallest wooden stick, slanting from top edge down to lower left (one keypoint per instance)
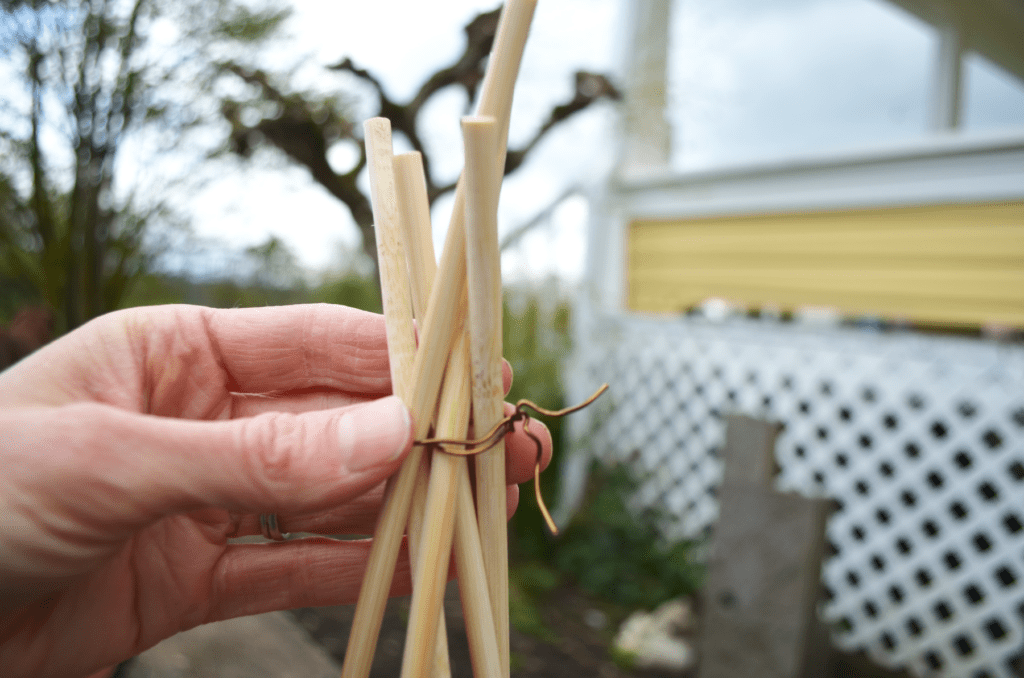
(448, 302)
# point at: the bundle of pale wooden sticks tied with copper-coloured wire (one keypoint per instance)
(455, 368)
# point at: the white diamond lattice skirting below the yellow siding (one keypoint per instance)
(920, 440)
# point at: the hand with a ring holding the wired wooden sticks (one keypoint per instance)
(135, 448)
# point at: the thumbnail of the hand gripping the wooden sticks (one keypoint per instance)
(375, 434)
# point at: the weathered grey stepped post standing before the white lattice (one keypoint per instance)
(765, 569)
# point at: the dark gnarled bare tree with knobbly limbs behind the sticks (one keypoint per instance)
(305, 126)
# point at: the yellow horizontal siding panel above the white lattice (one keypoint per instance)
(960, 265)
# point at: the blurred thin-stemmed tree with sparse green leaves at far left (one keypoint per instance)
(90, 79)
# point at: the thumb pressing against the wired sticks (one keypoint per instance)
(268, 463)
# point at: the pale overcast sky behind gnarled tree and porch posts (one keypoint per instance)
(750, 81)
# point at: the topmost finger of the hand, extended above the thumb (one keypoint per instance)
(153, 359)
